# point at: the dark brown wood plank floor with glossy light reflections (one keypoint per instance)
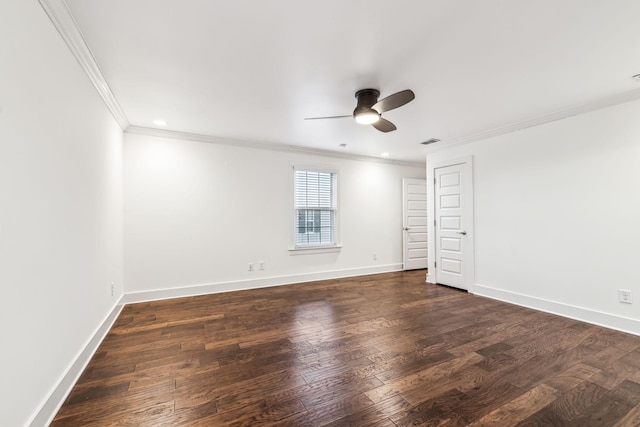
(383, 350)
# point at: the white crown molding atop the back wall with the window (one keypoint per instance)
(163, 133)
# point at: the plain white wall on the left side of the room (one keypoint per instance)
(60, 210)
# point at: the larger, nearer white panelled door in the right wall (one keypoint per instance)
(453, 225)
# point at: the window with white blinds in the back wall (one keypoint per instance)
(315, 204)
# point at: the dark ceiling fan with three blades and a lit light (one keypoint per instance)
(368, 110)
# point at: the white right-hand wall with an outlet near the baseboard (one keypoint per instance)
(557, 214)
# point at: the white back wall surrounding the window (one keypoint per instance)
(197, 213)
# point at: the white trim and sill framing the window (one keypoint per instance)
(315, 249)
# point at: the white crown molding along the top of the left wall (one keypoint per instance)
(61, 17)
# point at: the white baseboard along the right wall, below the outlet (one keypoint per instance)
(607, 320)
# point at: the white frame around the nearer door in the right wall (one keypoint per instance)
(432, 275)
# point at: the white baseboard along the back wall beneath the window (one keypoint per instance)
(213, 288)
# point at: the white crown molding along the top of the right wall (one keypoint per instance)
(587, 107)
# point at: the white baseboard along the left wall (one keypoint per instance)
(48, 410)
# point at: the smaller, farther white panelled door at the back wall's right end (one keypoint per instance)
(414, 241)
